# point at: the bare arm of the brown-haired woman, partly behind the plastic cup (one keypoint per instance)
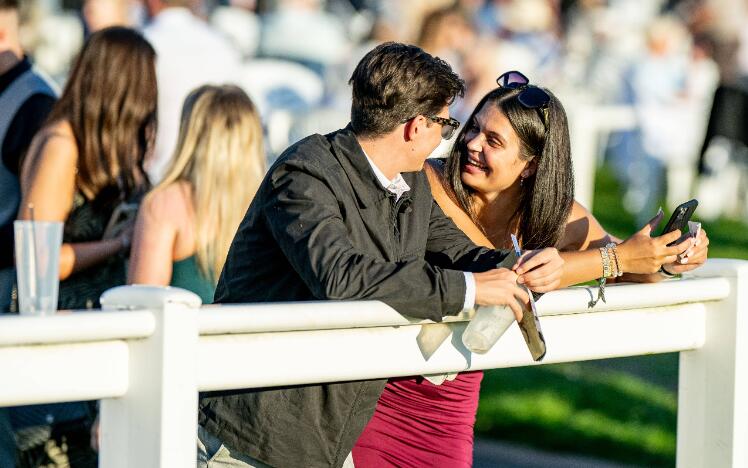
(48, 183)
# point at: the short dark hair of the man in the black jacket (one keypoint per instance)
(395, 82)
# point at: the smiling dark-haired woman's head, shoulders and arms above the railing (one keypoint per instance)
(502, 177)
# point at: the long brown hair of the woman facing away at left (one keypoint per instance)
(110, 102)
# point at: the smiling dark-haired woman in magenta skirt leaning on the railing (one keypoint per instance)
(510, 172)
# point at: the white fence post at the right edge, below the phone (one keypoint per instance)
(713, 384)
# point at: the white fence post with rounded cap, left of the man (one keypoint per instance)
(155, 424)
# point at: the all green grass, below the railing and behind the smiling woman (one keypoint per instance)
(618, 409)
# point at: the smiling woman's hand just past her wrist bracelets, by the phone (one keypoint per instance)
(644, 254)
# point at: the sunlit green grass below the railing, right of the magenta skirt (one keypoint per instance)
(581, 408)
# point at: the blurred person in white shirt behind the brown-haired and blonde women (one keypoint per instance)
(190, 53)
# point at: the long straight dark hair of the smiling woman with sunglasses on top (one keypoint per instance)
(547, 196)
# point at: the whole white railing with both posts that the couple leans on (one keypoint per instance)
(147, 364)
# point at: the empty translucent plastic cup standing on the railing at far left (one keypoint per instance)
(38, 265)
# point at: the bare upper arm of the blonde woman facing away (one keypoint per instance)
(152, 251)
